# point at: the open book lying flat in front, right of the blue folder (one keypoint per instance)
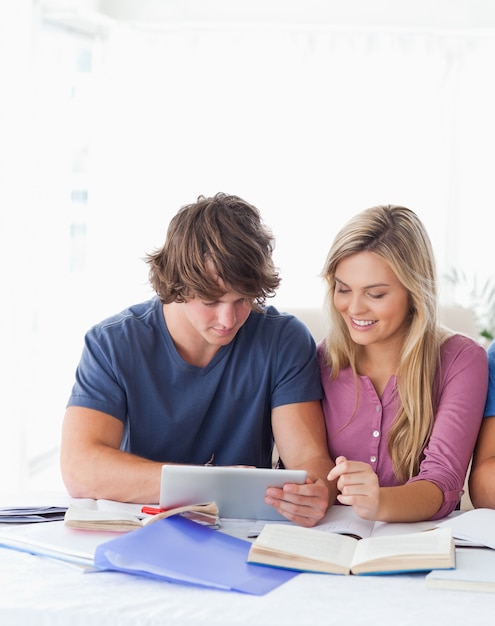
(310, 550)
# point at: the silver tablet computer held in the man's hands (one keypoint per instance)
(239, 492)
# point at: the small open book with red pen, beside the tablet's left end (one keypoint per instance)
(88, 514)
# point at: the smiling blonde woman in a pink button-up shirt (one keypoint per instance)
(403, 396)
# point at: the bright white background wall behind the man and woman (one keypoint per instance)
(312, 110)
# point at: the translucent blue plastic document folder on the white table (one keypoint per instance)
(176, 549)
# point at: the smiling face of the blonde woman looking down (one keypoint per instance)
(371, 299)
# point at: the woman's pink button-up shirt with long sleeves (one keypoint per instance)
(360, 430)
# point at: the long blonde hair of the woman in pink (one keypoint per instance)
(396, 235)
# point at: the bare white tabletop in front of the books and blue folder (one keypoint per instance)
(39, 591)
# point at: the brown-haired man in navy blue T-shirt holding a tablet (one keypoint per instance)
(202, 373)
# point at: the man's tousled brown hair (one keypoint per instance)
(225, 234)
